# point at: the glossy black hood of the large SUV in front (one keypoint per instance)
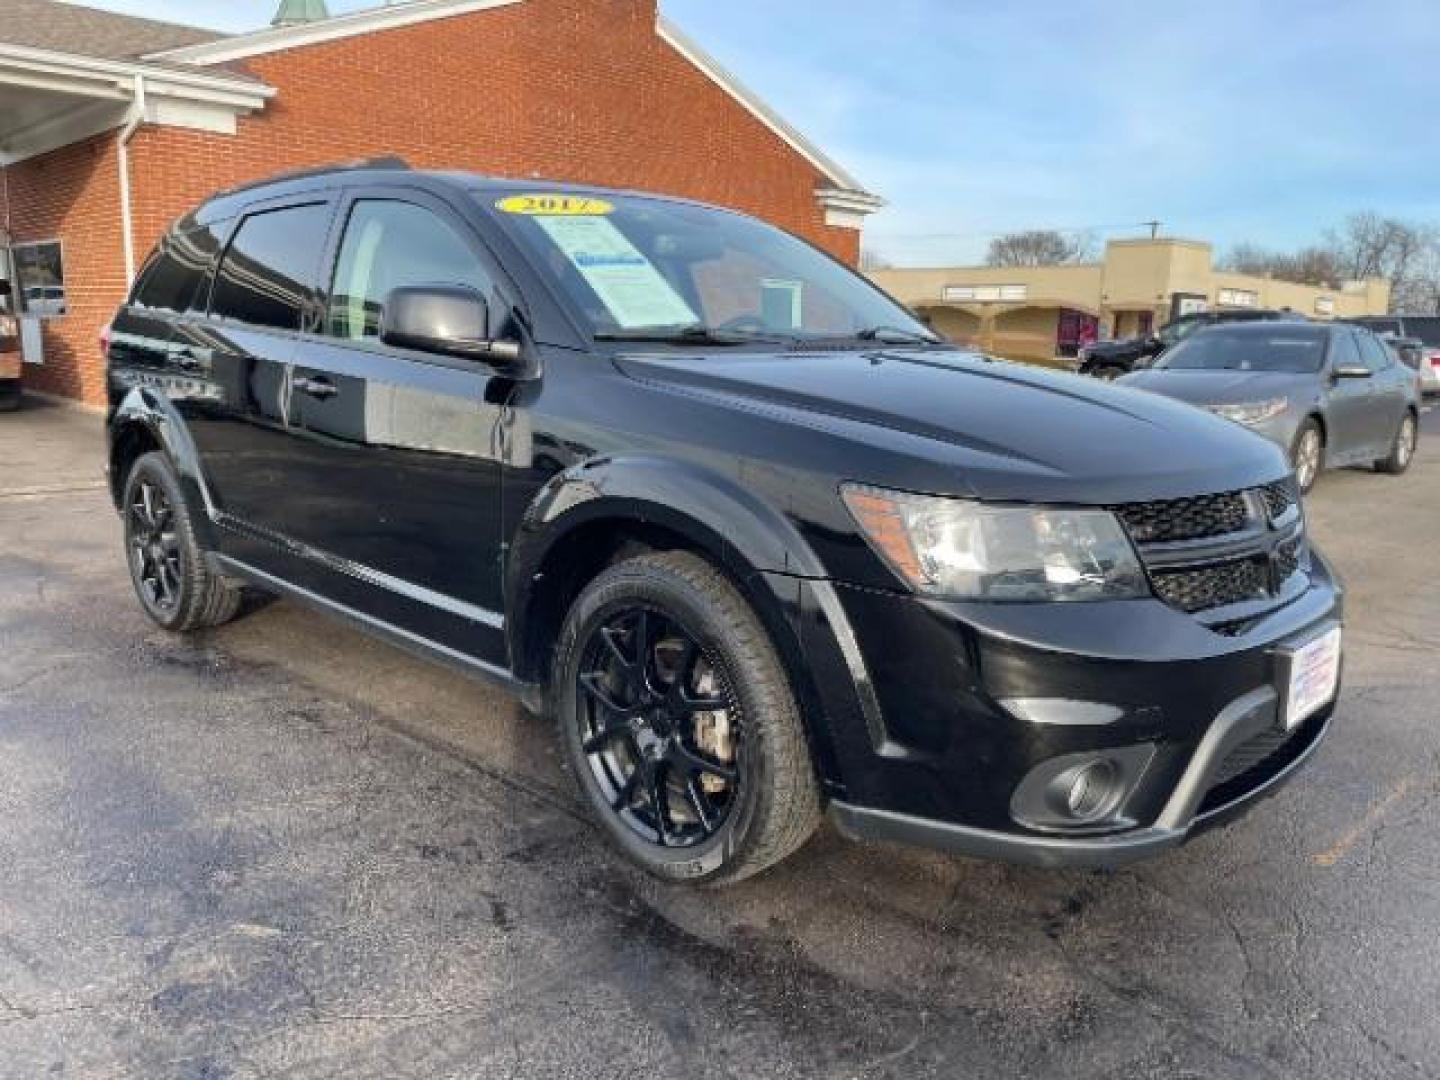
(953, 423)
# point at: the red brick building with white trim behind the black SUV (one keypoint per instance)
(110, 127)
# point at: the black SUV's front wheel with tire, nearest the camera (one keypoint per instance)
(680, 724)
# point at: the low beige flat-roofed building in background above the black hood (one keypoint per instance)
(1043, 313)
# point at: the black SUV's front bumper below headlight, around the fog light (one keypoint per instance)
(934, 755)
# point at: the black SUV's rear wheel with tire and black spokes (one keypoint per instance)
(168, 567)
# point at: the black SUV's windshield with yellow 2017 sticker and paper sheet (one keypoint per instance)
(646, 269)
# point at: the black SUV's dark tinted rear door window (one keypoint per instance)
(270, 269)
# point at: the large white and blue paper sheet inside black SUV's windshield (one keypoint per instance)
(626, 282)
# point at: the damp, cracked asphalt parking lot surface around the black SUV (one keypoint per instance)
(287, 850)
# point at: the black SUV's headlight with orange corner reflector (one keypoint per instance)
(973, 551)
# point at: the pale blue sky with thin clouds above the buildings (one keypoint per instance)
(1235, 120)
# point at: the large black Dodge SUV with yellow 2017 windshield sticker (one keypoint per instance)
(758, 541)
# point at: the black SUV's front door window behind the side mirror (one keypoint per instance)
(390, 246)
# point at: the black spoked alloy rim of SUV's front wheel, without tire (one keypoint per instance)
(662, 731)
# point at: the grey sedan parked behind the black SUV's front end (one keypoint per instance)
(1327, 395)
